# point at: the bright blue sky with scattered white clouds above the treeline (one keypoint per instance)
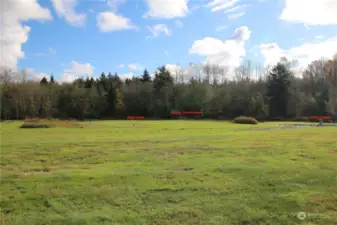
(70, 38)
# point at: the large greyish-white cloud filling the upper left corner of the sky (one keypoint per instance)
(13, 33)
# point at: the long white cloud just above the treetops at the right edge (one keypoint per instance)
(303, 54)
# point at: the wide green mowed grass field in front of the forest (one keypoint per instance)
(167, 173)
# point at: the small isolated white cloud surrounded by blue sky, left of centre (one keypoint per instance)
(109, 21)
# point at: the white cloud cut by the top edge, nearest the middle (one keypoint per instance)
(167, 9)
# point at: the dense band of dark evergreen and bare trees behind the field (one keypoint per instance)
(279, 93)
